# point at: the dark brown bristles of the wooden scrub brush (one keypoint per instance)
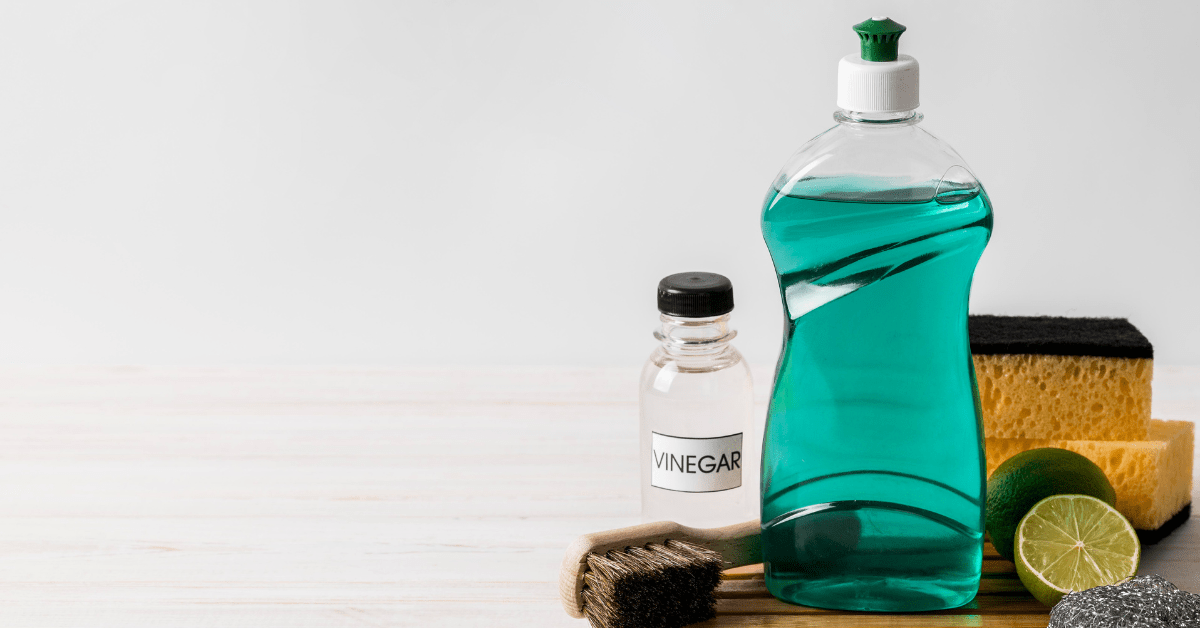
(658, 587)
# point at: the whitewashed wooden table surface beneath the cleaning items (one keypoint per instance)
(334, 498)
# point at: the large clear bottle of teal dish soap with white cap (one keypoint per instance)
(873, 468)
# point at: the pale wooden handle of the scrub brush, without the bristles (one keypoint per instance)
(737, 545)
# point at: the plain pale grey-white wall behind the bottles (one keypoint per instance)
(488, 183)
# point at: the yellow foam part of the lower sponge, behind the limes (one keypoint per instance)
(1153, 477)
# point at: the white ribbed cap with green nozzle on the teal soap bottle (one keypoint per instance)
(880, 86)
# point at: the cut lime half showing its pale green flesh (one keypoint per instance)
(1070, 543)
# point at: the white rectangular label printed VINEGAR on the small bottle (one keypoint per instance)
(695, 465)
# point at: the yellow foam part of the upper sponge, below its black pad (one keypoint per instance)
(1077, 398)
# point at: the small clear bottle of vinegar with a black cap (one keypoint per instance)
(699, 445)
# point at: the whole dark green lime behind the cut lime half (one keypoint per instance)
(1030, 477)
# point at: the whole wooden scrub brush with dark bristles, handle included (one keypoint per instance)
(653, 576)
